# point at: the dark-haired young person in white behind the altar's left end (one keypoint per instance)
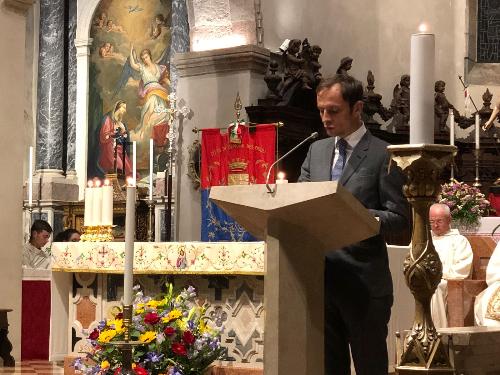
(34, 256)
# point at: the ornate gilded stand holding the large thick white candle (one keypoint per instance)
(423, 350)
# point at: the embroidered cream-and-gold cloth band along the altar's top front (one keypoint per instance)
(160, 258)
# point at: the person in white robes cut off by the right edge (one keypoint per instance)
(487, 304)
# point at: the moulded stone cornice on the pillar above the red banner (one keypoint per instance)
(239, 58)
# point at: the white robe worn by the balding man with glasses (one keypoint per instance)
(455, 253)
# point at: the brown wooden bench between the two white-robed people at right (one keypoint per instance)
(462, 293)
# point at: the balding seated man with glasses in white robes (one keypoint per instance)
(455, 253)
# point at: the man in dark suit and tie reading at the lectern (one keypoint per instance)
(358, 284)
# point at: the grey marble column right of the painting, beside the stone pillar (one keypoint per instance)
(180, 36)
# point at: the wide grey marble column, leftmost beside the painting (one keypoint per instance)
(50, 108)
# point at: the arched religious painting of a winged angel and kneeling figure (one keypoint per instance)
(129, 84)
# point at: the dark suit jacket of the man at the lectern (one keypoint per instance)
(362, 268)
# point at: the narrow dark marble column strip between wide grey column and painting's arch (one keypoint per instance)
(71, 90)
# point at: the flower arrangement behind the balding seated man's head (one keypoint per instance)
(467, 204)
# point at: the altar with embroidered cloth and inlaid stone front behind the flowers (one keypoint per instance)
(87, 287)
